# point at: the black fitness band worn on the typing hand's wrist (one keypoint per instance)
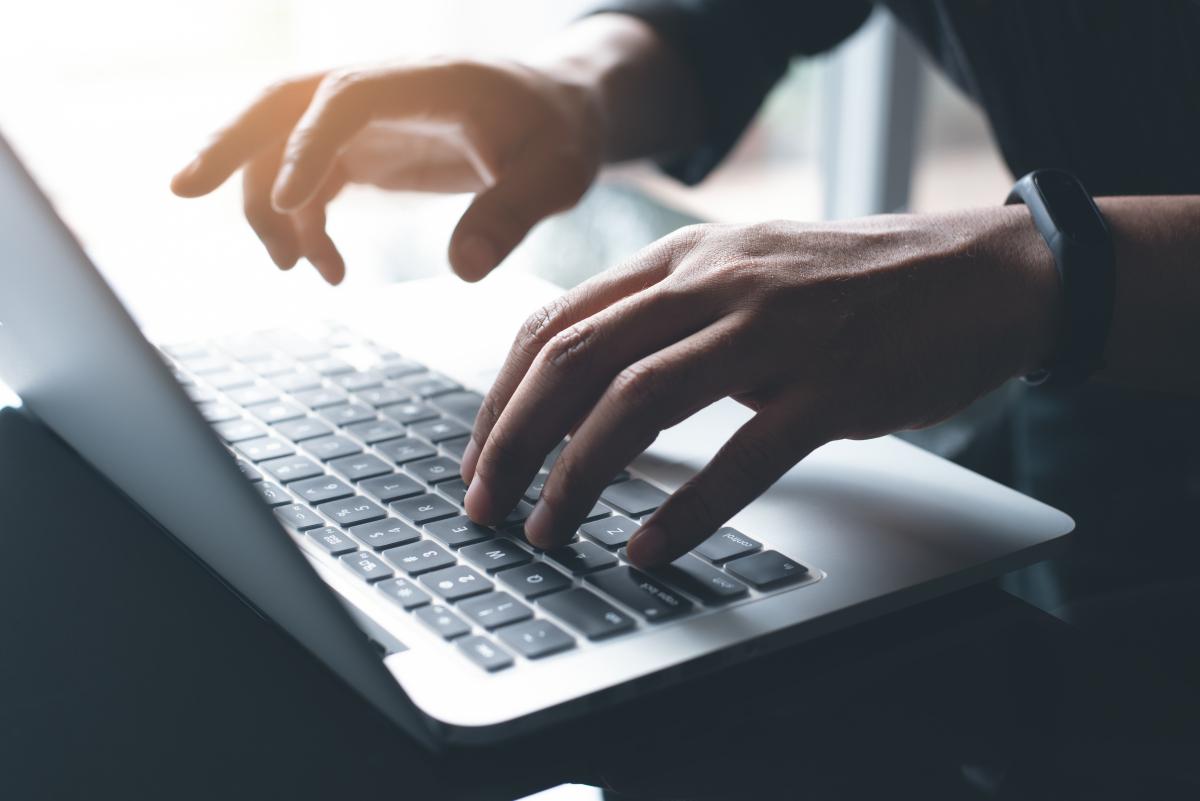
(1079, 239)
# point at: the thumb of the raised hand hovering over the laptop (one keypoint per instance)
(500, 218)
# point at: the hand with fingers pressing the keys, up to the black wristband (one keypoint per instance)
(827, 332)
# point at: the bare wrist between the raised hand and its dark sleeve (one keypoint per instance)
(647, 97)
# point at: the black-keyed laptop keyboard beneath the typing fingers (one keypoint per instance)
(356, 449)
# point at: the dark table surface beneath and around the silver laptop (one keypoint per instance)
(129, 672)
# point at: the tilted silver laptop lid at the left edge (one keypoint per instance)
(74, 354)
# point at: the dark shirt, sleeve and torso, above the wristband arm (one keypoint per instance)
(1107, 89)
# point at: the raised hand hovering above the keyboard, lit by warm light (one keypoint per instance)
(526, 142)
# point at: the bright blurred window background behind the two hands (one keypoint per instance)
(106, 101)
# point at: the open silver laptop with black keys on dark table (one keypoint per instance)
(315, 472)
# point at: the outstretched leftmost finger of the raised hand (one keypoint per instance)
(267, 122)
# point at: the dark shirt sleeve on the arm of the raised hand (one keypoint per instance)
(739, 51)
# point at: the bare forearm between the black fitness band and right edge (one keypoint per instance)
(1155, 338)
